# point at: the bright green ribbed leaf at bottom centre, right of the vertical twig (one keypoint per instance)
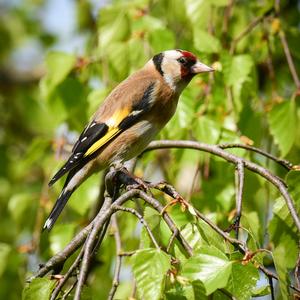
(149, 268)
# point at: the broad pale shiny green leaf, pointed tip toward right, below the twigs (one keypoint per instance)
(210, 266)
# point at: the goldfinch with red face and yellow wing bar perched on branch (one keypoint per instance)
(127, 120)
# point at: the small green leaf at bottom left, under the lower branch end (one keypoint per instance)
(39, 288)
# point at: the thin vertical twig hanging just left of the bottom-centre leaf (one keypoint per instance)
(117, 236)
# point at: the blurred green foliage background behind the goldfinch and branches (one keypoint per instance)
(58, 61)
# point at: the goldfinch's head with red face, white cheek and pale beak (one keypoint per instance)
(178, 67)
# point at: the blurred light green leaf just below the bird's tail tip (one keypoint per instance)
(60, 236)
